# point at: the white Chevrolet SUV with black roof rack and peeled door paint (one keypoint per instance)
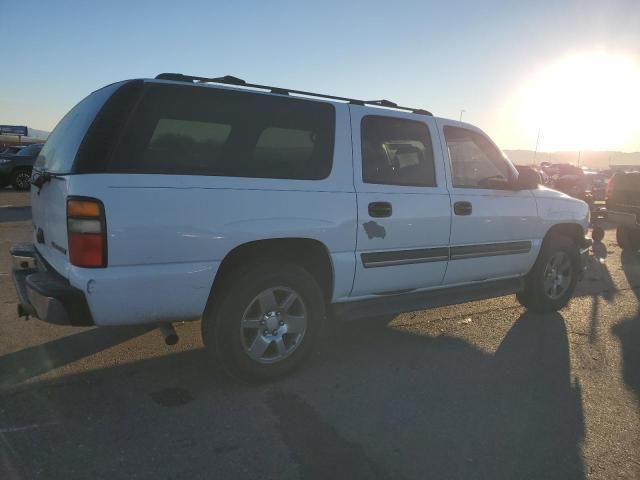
(260, 210)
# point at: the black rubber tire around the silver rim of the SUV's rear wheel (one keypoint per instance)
(225, 336)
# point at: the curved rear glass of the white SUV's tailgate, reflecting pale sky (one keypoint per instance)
(59, 152)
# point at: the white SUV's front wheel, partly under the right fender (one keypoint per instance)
(552, 280)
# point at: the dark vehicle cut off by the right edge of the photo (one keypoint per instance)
(623, 207)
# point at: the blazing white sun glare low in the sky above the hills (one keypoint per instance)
(588, 101)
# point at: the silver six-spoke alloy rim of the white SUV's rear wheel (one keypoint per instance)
(273, 325)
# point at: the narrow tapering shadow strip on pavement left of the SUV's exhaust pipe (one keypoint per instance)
(27, 363)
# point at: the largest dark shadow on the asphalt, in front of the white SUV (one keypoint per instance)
(373, 402)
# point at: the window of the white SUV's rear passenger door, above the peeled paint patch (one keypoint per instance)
(396, 151)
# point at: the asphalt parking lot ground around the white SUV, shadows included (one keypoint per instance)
(480, 390)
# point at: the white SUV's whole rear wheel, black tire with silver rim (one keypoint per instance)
(263, 320)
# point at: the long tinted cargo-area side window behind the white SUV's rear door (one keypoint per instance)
(204, 131)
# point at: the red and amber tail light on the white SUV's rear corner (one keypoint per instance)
(87, 232)
